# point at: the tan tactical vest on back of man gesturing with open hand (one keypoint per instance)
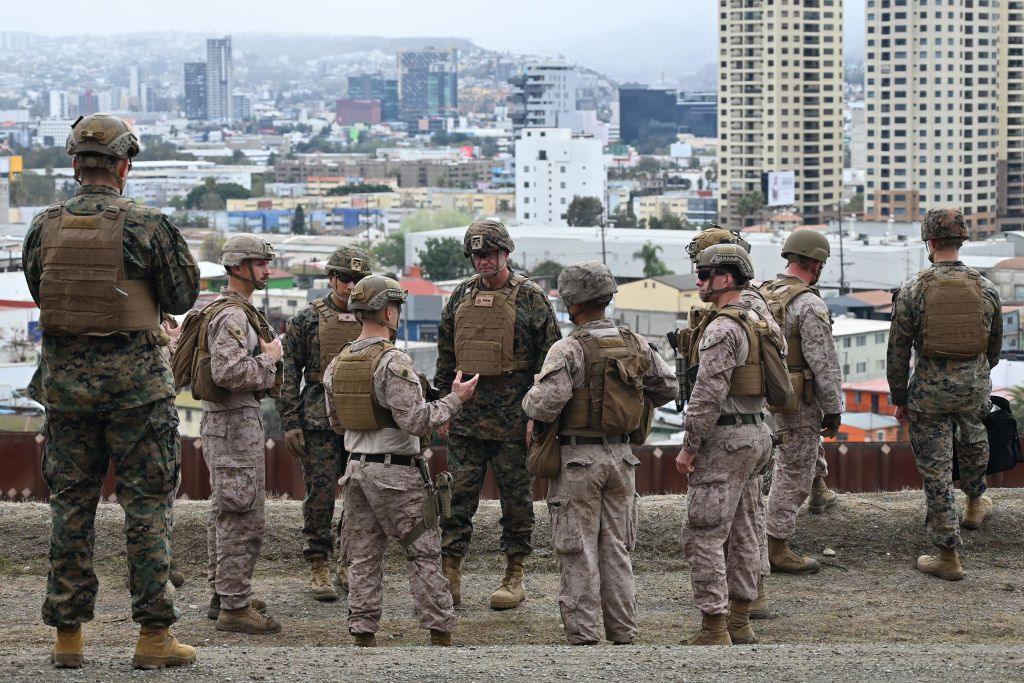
(353, 389)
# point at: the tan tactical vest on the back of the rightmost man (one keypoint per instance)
(954, 321)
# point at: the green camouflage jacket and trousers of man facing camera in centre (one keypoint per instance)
(493, 429)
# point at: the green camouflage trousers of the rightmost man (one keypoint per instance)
(934, 438)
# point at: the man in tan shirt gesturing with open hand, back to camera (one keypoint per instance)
(374, 397)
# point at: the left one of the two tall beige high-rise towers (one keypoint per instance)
(780, 109)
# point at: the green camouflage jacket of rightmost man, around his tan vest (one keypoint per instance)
(940, 386)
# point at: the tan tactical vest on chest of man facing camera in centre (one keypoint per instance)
(485, 330)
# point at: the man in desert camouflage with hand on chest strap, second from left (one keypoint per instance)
(245, 367)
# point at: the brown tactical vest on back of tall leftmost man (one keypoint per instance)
(84, 290)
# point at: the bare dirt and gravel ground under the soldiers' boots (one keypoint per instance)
(867, 616)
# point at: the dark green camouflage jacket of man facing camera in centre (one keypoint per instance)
(496, 412)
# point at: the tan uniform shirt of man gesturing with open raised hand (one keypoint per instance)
(397, 388)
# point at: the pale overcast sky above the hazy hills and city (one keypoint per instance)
(623, 38)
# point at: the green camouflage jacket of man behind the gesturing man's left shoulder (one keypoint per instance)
(304, 409)
